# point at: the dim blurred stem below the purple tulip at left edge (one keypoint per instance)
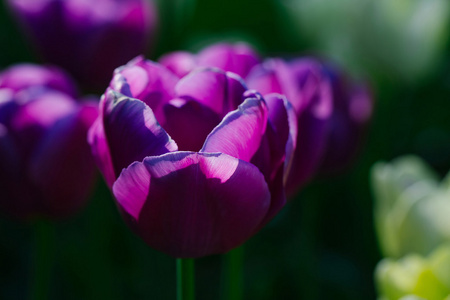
(44, 239)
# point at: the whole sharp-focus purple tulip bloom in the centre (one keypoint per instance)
(196, 165)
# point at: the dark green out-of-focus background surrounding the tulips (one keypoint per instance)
(321, 246)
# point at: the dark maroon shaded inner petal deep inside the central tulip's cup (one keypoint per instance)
(189, 123)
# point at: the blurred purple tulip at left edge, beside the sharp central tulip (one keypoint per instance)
(45, 163)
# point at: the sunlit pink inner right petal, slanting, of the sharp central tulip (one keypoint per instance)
(240, 133)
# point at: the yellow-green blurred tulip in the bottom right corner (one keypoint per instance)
(415, 276)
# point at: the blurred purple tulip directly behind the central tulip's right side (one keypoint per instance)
(307, 86)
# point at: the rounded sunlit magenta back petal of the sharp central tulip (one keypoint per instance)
(220, 91)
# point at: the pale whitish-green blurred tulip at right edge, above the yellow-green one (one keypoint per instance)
(411, 207)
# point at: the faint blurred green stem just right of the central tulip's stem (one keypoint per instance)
(233, 275)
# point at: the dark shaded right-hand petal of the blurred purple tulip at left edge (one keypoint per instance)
(62, 159)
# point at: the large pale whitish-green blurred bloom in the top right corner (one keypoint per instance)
(396, 40)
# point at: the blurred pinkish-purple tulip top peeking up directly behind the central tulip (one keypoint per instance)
(238, 58)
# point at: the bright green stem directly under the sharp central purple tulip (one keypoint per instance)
(185, 279)
